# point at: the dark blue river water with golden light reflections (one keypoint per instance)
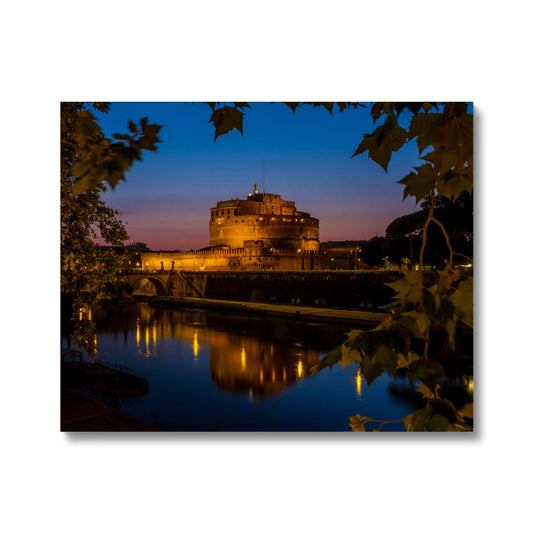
(229, 372)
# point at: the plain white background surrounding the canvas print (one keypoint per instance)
(239, 51)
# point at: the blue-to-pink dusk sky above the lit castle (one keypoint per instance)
(166, 198)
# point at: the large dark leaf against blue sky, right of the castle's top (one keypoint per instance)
(382, 142)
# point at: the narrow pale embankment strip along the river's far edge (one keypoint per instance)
(298, 312)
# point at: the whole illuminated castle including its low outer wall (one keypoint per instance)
(261, 232)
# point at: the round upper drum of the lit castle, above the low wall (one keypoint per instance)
(266, 217)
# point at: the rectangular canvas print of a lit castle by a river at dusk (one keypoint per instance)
(267, 267)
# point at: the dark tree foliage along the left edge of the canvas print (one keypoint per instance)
(88, 159)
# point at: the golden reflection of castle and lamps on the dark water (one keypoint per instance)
(258, 358)
